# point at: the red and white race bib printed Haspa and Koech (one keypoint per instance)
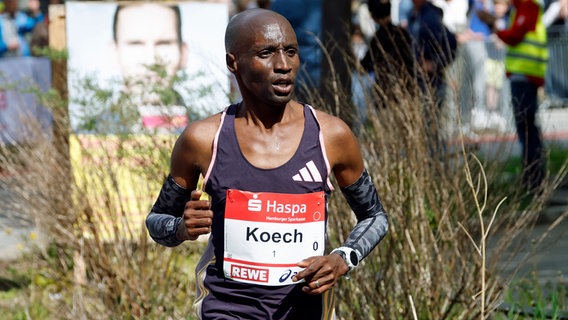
(267, 234)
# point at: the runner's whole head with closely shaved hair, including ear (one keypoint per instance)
(262, 53)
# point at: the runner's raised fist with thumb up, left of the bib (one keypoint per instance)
(197, 218)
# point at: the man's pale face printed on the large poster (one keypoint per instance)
(147, 35)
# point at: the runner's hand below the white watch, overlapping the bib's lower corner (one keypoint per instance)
(321, 273)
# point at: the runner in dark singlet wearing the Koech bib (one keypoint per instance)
(266, 163)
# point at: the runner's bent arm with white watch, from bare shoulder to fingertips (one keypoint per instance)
(322, 273)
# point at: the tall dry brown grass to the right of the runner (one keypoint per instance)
(444, 206)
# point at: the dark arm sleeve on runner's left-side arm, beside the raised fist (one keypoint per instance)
(167, 212)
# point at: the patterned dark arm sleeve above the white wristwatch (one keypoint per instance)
(372, 223)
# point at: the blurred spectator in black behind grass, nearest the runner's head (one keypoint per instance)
(389, 56)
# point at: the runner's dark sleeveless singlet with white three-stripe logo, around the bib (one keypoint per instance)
(307, 171)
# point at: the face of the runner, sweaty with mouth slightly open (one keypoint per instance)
(267, 62)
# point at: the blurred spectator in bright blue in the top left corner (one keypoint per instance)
(15, 25)
